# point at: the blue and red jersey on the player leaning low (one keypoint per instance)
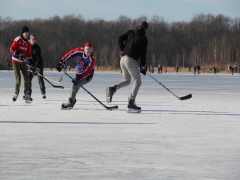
(85, 65)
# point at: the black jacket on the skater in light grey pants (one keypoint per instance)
(134, 43)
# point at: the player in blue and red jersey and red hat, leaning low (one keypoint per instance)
(84, 70)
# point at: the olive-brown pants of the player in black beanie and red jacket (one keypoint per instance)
(23, 68)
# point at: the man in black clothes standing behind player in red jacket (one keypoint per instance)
(38, 60)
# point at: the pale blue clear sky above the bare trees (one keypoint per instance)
(171, 11)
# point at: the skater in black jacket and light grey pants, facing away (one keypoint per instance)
(133, 45)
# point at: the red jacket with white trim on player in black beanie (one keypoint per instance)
(21, 45)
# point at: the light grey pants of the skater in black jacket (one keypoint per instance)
(130, 69)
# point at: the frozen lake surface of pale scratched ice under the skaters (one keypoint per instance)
(171, 139)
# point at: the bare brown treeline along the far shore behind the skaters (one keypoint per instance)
(206, 39)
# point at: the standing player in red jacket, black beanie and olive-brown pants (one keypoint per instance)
(21, 52)
